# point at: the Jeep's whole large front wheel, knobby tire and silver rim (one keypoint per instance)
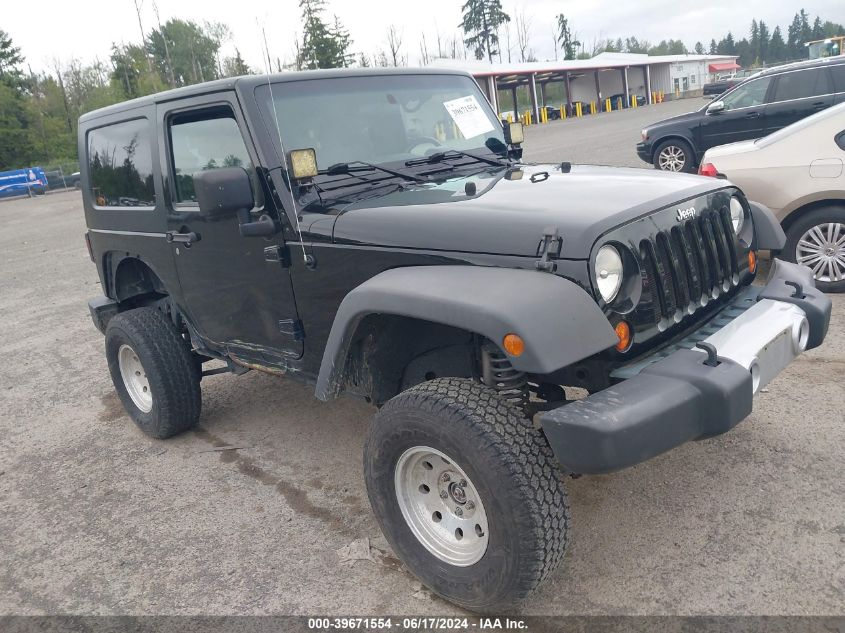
(466, 492)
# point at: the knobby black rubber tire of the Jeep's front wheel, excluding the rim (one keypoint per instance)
(512, 468)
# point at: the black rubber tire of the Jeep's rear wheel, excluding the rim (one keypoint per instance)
(171, 371)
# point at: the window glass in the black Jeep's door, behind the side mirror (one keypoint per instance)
(209, 139)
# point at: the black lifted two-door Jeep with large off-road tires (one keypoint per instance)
(375, 233)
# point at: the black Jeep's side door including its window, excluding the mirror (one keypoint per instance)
(234, 289)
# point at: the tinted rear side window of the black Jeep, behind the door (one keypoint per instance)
(120, 165)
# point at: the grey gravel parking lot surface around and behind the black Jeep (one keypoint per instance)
(250, 514)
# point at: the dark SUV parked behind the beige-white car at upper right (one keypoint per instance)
(763, 104)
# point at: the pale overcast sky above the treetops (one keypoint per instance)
(85, 29)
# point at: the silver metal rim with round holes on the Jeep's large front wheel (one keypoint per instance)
(441, 506)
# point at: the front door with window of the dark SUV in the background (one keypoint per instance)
(744, 115)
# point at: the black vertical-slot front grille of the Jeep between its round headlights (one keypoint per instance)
(689, 265)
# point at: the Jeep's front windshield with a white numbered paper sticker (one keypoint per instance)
(382, 118)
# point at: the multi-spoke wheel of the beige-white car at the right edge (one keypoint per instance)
(817, 240)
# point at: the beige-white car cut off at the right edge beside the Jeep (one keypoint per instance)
(799, 173)
